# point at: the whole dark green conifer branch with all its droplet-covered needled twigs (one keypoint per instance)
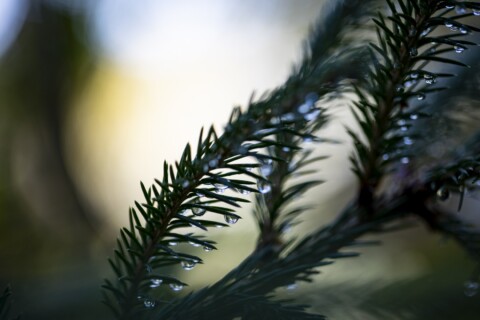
(262, 151)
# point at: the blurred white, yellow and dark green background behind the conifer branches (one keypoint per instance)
(95, 95)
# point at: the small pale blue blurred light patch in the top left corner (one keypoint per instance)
(12, 16)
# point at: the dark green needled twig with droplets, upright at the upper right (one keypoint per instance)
(402, 56)
